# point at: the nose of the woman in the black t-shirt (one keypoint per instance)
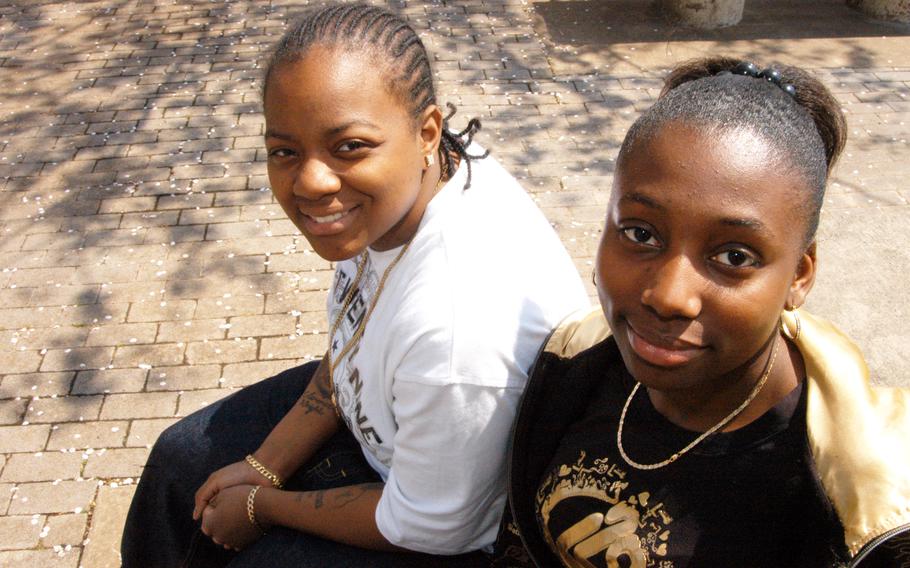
(674, 290)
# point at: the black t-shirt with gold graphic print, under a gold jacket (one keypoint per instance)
(740, 499)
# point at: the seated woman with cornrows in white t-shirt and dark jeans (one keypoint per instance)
(391, 450)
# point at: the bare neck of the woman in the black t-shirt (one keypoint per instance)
(702, 409)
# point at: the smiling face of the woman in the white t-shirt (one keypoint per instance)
(345, 159)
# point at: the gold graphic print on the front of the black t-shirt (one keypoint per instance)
(625, 525)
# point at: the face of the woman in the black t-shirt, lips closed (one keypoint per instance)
(703, 247)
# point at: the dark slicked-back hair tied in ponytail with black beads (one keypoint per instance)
(806, 128)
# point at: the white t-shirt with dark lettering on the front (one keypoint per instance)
(432, 387)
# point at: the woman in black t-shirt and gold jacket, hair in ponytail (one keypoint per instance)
(718, 426)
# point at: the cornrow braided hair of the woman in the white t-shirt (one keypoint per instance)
(363, 28)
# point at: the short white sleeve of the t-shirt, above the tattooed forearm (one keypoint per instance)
(446, 490)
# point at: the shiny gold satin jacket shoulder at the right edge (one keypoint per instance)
(857, 433)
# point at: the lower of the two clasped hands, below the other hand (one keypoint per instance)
(225, 518)
